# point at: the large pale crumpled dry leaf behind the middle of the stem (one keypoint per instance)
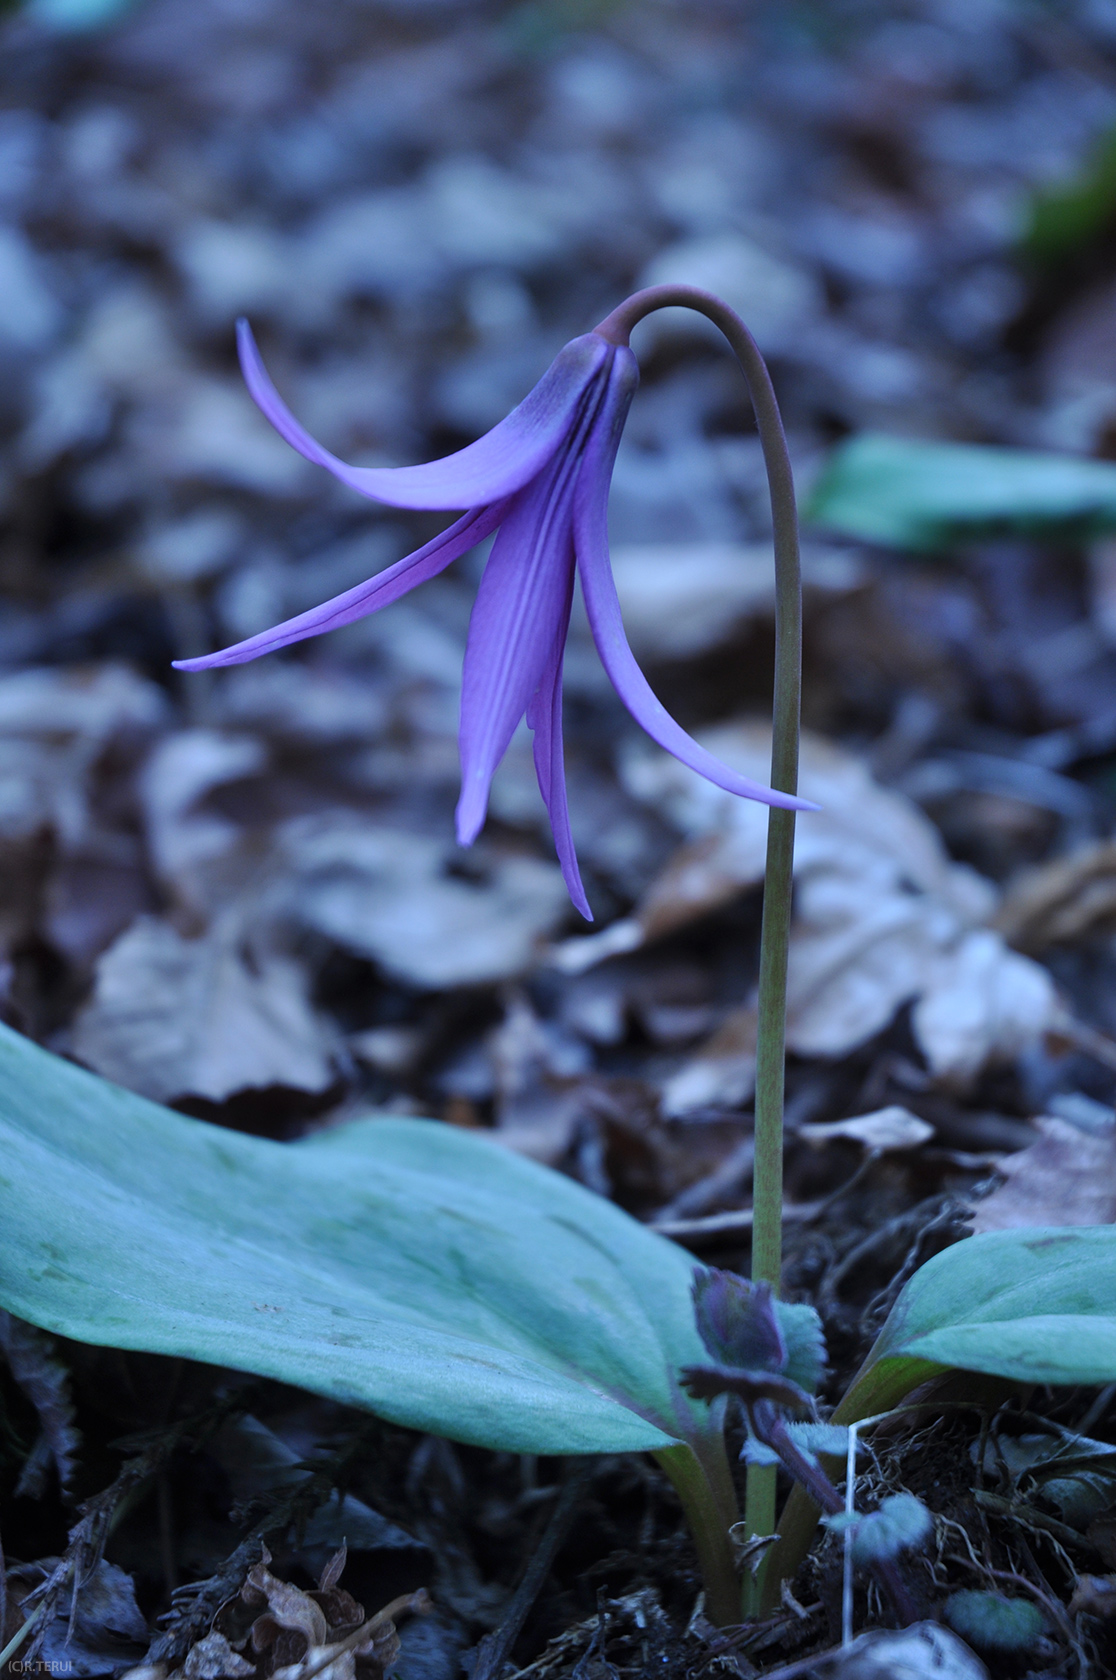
(883, 918)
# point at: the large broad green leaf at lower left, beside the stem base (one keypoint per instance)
(394, 1264)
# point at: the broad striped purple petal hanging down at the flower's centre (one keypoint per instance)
(517, 621)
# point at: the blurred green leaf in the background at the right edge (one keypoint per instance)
(925, 496)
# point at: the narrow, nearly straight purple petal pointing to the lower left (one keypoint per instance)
(366, 597)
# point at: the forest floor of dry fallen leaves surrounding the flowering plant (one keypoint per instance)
(240, 895)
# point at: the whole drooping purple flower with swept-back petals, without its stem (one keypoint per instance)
(540, 476)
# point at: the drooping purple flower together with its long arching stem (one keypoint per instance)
(540, 480)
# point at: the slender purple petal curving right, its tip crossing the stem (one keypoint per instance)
(591, 523)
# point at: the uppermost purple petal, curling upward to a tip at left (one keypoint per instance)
(498, 465)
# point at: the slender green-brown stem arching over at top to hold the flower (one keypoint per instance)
(767, 1232)
